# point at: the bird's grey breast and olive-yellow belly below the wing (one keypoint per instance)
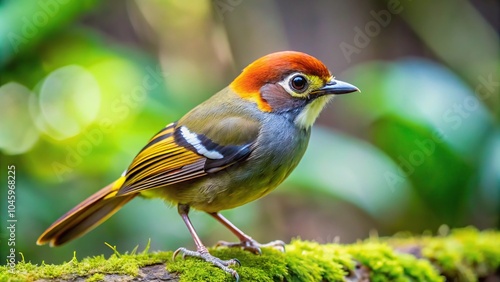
(275, 154)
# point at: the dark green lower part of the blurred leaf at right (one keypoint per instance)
(440, 177)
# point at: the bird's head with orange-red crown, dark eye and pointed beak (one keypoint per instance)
(290, 83)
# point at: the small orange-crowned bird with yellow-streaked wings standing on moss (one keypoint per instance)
(232, 149)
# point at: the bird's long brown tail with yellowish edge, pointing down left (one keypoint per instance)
(85, 216)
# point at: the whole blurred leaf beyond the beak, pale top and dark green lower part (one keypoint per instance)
(430, 123)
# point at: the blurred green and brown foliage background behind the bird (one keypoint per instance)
(85, 84)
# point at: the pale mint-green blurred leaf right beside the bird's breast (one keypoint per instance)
(352, 170)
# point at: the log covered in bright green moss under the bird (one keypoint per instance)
(463, 255)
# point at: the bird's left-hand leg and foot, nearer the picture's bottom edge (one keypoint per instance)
(201, 250)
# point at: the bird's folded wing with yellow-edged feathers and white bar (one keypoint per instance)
(178, 154)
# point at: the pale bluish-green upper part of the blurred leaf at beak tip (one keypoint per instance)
(424, 93)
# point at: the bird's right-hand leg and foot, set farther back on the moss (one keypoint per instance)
(246, 242)
